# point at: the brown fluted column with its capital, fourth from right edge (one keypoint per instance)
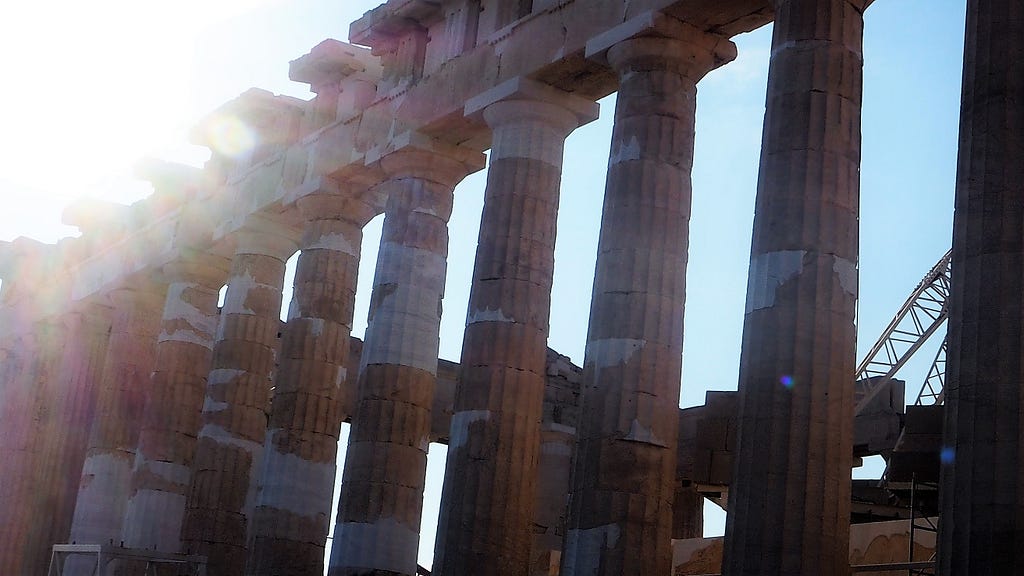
(491, 479)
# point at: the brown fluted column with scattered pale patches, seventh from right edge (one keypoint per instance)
(230, 447)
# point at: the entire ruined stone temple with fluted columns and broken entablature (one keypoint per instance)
(144, 425)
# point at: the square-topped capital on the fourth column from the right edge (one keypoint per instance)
(522, 100)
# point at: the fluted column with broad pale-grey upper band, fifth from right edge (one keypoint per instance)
(382, 487)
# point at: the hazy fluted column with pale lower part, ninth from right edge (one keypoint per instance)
(107, 473)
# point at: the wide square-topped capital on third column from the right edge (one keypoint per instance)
(658, 42)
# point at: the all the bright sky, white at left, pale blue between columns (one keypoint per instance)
(91, 88)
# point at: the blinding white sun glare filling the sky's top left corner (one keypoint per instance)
(91, 89)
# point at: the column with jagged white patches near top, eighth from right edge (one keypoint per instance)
(170, 420)
